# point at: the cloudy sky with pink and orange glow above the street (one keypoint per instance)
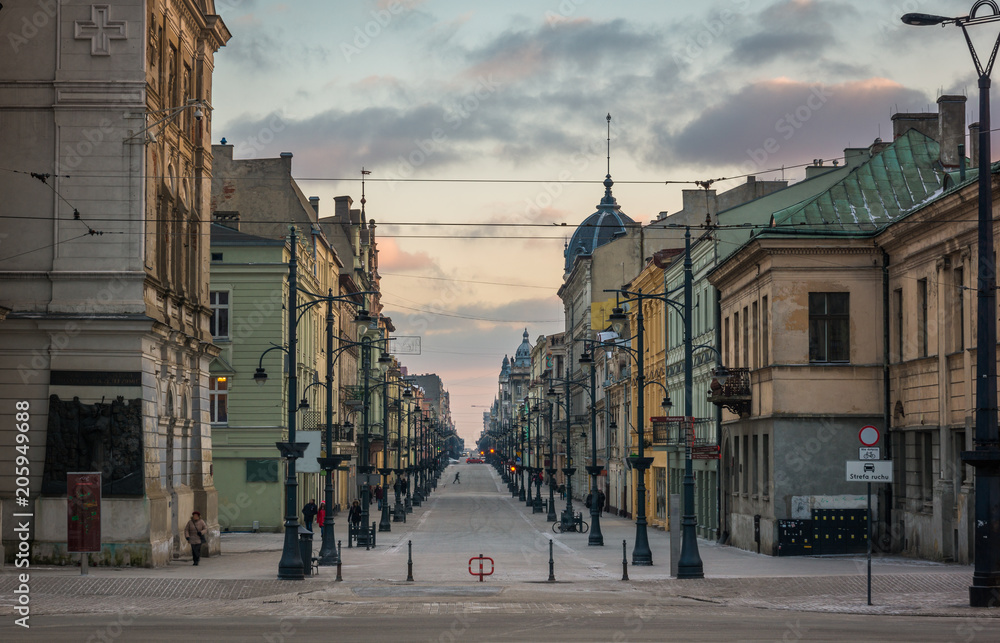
(518, 91)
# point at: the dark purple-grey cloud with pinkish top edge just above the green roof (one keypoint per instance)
(803, 120)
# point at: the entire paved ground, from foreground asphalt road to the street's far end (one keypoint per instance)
(743, 597)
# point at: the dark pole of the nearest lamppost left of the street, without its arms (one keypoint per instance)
(290, 564)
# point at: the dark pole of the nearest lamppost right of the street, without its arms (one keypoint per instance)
(689, 564)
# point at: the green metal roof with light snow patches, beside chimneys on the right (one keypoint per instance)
(903, 176)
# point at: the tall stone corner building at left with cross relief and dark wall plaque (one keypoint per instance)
(107, 121)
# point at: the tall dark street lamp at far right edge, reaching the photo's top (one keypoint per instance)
(985, 588)
